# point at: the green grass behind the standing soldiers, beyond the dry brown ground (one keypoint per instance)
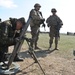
(66, 44)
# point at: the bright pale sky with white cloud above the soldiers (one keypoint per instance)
(21, 8)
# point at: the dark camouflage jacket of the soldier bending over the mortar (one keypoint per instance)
(7, 34)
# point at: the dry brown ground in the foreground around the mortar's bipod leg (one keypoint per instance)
(51, 64)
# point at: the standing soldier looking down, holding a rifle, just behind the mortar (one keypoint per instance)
(36, 21)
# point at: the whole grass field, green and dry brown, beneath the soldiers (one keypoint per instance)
(58, 62)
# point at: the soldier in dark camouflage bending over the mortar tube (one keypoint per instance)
(9, 32)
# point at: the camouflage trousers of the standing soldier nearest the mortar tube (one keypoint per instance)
(35, 35)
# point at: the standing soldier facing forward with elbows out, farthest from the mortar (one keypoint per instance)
(54, 23)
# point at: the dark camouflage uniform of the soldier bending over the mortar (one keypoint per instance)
(8, 35)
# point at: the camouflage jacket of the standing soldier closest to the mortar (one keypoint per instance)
(35, 17)
